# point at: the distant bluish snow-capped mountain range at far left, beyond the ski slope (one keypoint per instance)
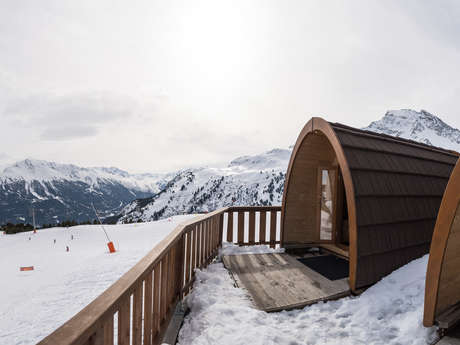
(60, 192)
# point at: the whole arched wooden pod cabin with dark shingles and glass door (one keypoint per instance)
(368, 197)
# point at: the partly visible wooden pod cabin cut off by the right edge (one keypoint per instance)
(442, 290)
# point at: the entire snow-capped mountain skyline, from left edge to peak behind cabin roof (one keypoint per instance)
(64, 191)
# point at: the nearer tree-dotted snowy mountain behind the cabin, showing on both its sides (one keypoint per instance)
(259, 180)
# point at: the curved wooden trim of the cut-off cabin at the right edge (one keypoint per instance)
(438, 247)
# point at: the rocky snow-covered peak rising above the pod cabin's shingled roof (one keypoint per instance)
(419, 126)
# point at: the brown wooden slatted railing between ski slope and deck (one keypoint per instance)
(137, 308)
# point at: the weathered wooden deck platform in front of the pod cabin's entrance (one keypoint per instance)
(279, 282)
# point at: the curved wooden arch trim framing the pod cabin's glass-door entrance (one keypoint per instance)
(319, 124)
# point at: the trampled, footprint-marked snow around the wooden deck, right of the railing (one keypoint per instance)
(390, 312)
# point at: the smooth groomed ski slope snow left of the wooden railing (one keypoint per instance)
(33, 304)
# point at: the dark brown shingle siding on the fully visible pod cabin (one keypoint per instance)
(398, 189)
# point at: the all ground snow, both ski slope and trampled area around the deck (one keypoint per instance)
(33, 304)
